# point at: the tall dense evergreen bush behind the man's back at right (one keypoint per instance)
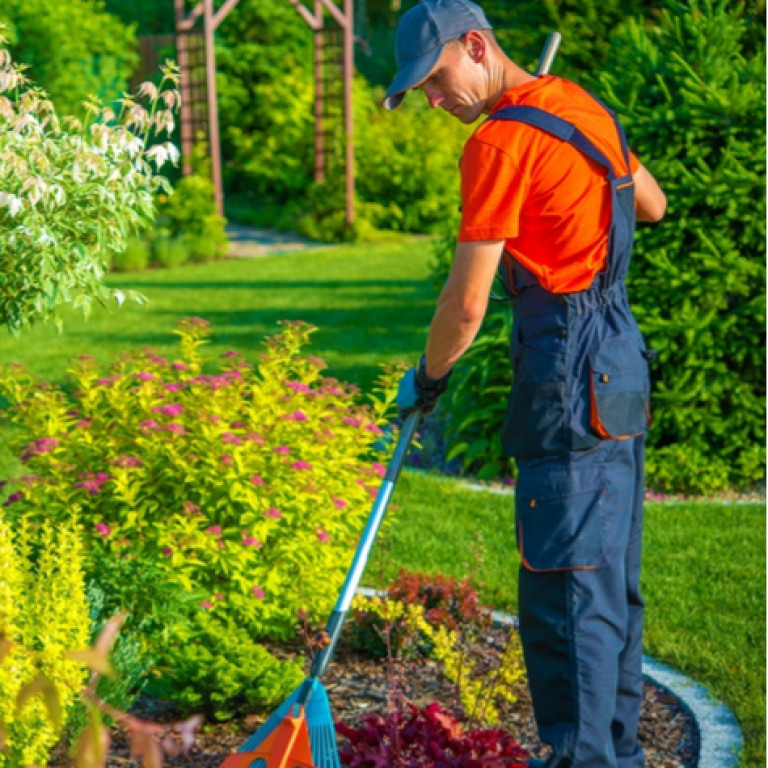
(693, 103)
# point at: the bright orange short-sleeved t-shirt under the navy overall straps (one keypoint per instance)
(548, 200)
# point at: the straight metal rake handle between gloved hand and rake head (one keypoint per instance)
(336, 621)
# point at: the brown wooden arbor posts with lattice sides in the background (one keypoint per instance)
(334, 67)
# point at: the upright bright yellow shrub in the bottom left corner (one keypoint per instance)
(43, 616)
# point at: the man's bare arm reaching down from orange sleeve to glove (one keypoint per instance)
(462, 304)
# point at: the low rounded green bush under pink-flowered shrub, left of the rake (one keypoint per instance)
(215, 667)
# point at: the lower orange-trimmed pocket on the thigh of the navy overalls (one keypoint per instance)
(556, 533)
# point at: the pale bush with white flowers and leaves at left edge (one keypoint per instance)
(72, 192)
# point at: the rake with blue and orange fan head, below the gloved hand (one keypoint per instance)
(300, 733)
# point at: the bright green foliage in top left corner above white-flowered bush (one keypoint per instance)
(75, 50)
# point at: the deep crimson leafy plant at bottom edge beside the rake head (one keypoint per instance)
(426, 738)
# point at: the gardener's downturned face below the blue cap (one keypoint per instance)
(457, 84)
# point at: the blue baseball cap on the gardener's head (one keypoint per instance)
(422, 34)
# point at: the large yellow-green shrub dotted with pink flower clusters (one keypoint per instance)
(242, 489)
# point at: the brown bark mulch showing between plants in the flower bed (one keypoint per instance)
(357, 684)
